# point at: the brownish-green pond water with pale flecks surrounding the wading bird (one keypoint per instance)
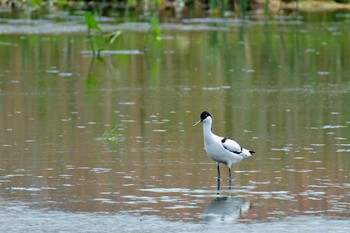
(94, 143)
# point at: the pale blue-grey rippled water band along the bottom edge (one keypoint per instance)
(18, 218)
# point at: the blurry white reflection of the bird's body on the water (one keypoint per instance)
(226, 209)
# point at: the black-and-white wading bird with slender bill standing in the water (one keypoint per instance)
(221, 149)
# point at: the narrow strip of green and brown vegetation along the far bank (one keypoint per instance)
(238, 8)
